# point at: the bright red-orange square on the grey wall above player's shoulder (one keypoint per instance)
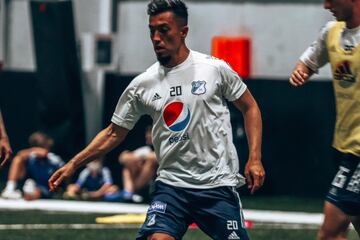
(234, 50)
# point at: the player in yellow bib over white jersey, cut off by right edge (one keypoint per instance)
(338, 44)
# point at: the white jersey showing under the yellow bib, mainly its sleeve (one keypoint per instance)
(316, 55)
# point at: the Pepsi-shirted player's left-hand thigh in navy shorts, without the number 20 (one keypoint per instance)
(167, 216)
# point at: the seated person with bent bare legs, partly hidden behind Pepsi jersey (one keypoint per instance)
(139, 169)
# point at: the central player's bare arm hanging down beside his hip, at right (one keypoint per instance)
(254, 170)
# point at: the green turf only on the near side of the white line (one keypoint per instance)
(39, 217)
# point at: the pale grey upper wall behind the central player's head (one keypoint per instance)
(279, 33)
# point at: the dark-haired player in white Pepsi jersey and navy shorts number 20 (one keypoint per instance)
(185, 93)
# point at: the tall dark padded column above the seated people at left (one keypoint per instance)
(58, 73)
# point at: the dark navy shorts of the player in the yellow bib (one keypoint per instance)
(345, 187)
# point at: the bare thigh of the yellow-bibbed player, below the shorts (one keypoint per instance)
(335, 224)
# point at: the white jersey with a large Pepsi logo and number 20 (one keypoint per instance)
(192, 134)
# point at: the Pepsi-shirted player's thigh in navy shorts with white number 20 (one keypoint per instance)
(218, 212)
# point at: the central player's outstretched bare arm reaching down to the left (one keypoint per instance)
(104, 142)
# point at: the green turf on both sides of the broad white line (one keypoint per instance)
(55, 225)
